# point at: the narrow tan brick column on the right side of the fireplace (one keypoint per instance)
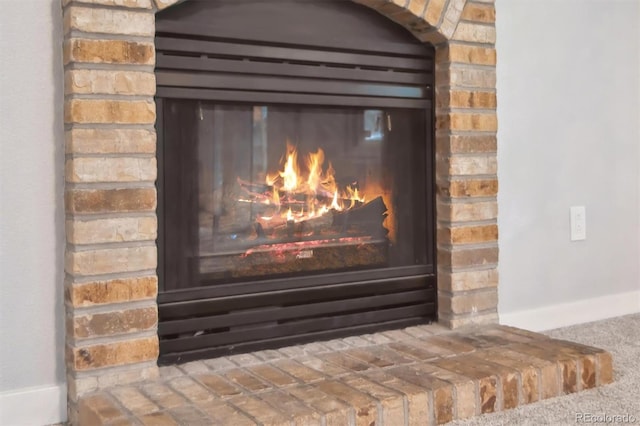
(466, 170)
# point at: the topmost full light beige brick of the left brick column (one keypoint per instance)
(109, 21)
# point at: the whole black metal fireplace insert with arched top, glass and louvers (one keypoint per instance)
(296, 176)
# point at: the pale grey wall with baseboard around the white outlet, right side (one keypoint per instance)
(569, 134)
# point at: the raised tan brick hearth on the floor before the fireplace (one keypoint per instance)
(418, 376)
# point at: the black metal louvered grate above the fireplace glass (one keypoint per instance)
(233, 71)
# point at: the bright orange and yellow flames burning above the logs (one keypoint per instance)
(312, 193)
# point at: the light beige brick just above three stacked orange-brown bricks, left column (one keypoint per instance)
(108, 261)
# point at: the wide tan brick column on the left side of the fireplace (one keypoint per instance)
(110, 196)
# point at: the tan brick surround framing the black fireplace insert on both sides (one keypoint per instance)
(110, 170)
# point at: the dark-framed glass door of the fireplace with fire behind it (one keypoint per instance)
(255, 192)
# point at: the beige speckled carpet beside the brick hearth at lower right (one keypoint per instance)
(621, 337)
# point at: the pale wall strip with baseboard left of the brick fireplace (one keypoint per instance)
(31, 213)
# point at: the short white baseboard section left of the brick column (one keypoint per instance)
(35, 406)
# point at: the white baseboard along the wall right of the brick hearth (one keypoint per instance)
(579, 312)
